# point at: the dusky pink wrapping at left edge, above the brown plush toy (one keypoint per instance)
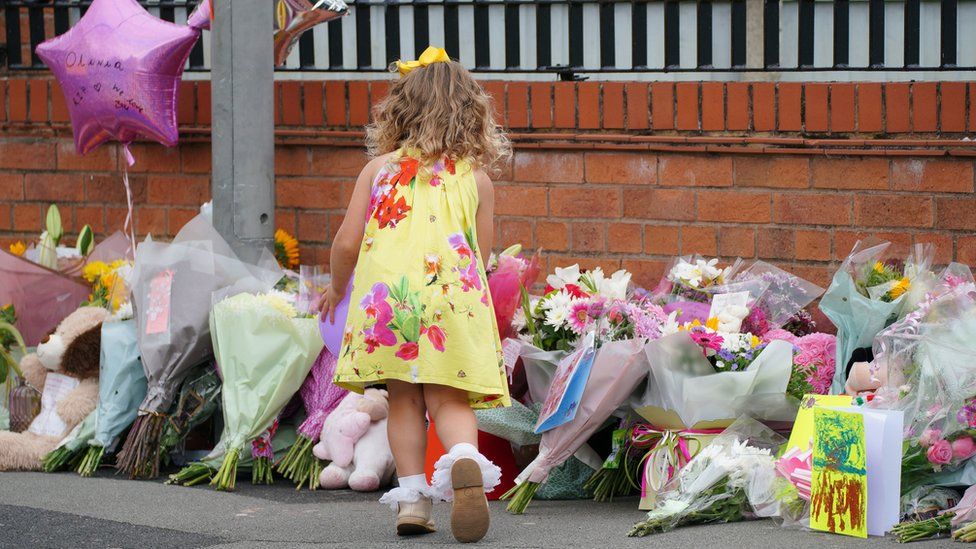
(42, 297)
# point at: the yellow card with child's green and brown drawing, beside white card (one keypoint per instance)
(839, 493)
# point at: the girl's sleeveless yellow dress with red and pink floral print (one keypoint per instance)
(420, 311)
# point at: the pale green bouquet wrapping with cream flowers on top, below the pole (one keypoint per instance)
(265, 353)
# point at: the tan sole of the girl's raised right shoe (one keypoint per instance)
(469, 515)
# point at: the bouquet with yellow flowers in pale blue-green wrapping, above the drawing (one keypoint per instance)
(861, 301)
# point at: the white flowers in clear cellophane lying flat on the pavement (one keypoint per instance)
(732, 479)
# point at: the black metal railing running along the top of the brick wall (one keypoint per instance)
(570, 37)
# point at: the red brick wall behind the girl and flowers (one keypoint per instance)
(616, 174)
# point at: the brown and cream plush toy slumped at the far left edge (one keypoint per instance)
(64, 369)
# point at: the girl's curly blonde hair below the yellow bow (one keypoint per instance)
(439, 110)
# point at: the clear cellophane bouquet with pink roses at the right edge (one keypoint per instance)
(928, 361)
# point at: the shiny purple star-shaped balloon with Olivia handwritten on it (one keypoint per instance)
(119, 68)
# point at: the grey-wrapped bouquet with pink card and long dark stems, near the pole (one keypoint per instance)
(172, 289)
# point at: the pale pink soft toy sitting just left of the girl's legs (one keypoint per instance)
(354, 439)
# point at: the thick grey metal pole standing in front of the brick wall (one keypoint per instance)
(243, 125)
